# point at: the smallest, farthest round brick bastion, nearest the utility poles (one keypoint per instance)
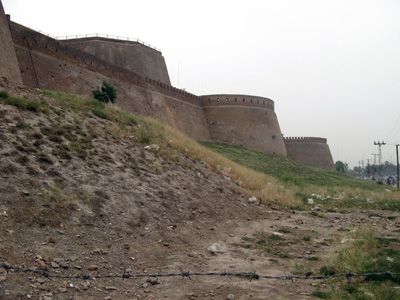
(311, 151)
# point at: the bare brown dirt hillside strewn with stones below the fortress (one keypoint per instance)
(88, 189)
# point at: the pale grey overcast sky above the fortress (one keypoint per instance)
(331, 66)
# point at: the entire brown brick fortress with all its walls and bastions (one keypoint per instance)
(140, 74)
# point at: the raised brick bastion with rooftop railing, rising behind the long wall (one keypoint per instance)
(131, 55)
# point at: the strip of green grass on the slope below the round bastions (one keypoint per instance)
(287, 170)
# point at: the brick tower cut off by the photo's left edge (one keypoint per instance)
(8, 60)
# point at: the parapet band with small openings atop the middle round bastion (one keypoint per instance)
(237, 100)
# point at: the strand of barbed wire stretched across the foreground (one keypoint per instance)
(188, 274)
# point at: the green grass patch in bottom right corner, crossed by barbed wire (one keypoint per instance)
(364, 254)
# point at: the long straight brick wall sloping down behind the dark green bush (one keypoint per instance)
(48, 65)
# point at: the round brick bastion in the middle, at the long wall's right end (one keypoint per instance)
(244, 120)
